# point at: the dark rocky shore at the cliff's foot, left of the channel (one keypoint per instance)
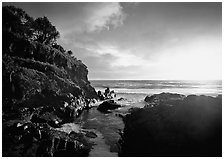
(39, 132)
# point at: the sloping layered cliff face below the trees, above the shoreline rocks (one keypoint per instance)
(46, 67)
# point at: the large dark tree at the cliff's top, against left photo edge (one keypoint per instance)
(16, 30)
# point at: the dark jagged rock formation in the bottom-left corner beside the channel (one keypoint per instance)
(29, 139)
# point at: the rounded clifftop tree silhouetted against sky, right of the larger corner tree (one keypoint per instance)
(44, 31)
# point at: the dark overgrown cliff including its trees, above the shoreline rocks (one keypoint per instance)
(33, 62)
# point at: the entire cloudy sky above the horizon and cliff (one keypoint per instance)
(139, 41)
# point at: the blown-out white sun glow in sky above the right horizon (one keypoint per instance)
(192, 61)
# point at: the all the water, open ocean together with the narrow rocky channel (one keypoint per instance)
(107, 126)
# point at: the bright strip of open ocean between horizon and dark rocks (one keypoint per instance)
(149, 87)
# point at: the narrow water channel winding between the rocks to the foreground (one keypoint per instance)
(106, 127)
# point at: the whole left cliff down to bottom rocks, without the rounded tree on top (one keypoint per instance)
(43, 87)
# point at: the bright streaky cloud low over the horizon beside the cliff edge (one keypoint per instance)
(105, 60)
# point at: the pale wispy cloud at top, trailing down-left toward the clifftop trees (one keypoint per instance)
(89, 19)
